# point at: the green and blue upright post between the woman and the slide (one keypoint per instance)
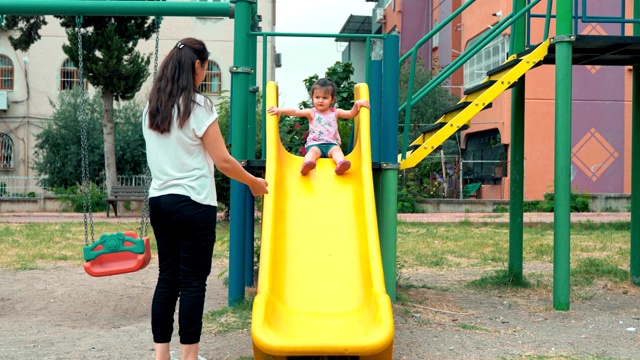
(240, 75)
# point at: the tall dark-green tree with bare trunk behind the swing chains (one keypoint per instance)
(111, 62)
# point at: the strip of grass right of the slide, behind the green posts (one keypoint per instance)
(469, 245)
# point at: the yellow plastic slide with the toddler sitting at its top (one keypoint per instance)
(321, 286)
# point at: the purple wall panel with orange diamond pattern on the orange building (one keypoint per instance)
(598, 113)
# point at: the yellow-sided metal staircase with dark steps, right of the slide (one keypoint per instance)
(477, 98)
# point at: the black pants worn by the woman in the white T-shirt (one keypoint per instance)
(185, 234)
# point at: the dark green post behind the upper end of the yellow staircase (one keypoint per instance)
(516, 191)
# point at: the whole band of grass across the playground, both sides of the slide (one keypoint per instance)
(598, 250)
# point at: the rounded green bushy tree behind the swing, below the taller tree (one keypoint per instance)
(58, 152)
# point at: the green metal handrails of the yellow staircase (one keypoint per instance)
(413, 99)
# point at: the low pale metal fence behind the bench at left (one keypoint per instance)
(20, 187)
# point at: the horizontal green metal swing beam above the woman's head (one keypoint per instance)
(115, 8)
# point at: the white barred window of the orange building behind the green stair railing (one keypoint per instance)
(490, 57)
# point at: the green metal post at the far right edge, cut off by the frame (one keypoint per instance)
(635, 163)
